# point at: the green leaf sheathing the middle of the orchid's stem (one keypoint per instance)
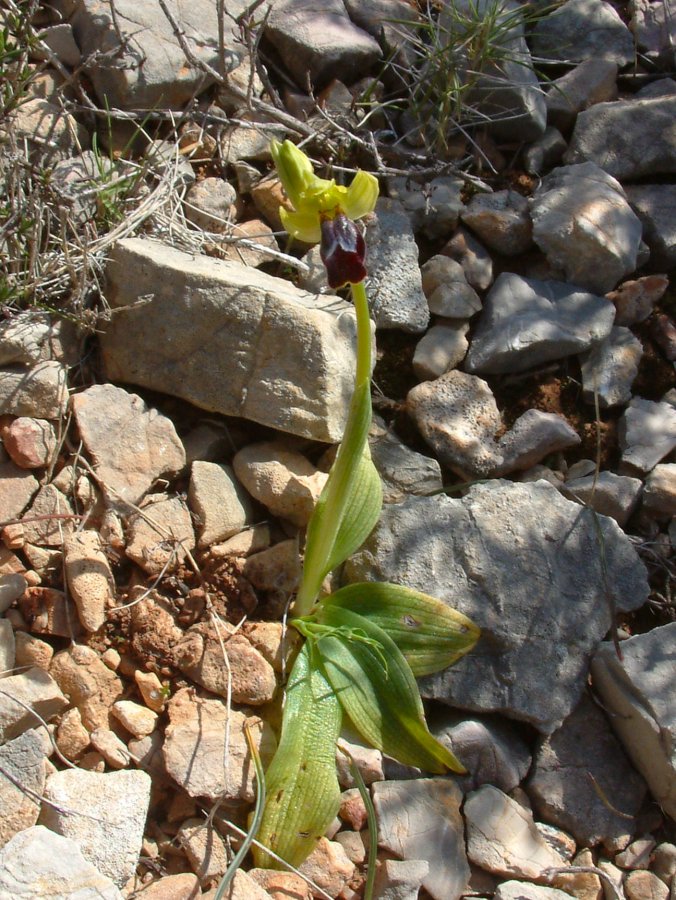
(348, 507)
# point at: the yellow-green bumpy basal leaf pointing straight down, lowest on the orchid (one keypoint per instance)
(303, 794)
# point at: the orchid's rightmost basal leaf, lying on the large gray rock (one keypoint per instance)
(430, 634)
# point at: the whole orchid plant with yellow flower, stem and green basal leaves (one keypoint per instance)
(365, 643)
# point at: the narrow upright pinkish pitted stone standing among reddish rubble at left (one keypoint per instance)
(89, 577)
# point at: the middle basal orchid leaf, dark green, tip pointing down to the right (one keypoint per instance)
(378, 692)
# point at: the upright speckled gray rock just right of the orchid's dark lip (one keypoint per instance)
(394, 284)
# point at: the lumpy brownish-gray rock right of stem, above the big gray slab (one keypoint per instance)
(458, 417)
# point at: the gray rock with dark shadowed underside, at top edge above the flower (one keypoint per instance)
(320, 41)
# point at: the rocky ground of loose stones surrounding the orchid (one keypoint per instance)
(173, 376)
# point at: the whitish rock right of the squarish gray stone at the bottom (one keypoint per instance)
(502, 837)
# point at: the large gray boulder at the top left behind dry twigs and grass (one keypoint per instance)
(134, 58)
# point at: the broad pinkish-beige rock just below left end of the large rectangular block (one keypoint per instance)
(130, 445)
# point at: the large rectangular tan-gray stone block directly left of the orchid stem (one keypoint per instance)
(229, 339)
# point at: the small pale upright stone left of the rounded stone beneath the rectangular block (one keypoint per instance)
(219, 502)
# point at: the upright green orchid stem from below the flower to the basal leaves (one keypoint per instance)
(343, 472)
